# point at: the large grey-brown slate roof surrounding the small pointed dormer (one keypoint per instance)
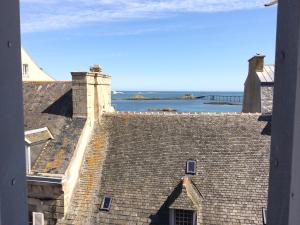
(142, 158)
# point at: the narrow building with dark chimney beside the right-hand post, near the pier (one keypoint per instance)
(258, 91)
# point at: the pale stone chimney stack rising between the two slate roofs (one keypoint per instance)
(91, 93)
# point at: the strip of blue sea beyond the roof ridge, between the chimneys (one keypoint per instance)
(197, 105)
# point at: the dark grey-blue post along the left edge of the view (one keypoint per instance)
(13, 196)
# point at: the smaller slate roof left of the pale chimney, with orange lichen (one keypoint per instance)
(49, 104)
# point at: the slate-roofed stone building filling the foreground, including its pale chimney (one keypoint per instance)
(88, 165)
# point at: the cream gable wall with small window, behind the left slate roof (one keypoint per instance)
(31, 71)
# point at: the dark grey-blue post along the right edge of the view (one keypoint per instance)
(284, 185)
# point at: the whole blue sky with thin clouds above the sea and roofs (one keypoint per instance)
(190, 45)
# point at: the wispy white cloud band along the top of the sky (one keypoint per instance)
(43, 15)
